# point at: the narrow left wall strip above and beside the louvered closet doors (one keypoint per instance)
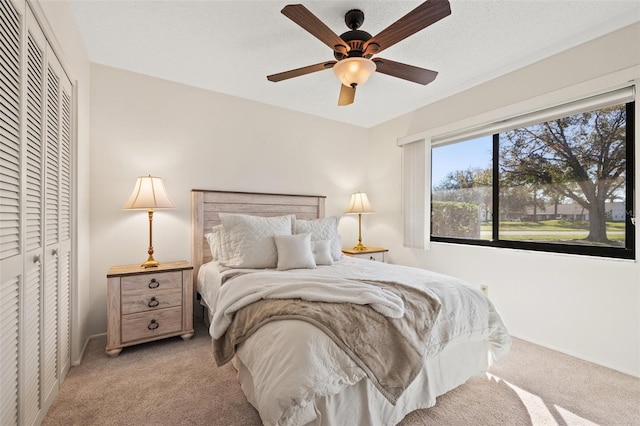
(57, 19)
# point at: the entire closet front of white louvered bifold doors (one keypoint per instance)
(36, 205)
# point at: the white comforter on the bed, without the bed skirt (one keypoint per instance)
(285, 384)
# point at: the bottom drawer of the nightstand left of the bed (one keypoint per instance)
(150, 324)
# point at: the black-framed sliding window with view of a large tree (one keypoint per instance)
(564, 184)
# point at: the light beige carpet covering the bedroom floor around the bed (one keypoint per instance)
(173, 382)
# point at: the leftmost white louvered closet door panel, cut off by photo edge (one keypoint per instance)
(11, 250)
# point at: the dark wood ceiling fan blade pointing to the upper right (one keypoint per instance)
(418, 19)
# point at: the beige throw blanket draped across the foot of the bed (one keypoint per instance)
(389, 350)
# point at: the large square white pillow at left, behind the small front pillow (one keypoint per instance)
(250, 239)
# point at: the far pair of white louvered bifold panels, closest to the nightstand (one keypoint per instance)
(57, 226)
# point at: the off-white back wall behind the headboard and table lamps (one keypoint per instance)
(195, 139)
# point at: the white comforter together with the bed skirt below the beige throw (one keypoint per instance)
(292, 373)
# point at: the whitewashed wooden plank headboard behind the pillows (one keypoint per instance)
(205, 206)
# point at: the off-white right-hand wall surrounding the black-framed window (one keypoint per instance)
(587, 307)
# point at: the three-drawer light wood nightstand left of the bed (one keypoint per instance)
(148, 304)
